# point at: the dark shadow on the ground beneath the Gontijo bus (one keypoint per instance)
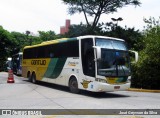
(82, 92)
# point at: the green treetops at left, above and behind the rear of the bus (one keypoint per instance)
(14, 42)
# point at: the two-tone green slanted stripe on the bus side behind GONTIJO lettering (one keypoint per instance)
(55, 67)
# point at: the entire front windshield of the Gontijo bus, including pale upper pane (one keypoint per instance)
(114, 60)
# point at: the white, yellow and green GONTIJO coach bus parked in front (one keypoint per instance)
(92, 63)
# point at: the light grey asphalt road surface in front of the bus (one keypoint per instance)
(25, 95)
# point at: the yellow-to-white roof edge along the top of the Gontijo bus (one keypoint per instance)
(62, 40)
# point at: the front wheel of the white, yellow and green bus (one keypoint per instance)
(73, 85)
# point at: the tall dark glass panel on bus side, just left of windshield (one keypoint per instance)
(87, 52)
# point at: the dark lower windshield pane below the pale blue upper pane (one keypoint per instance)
(113, 63)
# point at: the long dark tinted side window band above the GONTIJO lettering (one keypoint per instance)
(67, 49)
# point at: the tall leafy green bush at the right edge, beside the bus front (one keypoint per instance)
(146, 71)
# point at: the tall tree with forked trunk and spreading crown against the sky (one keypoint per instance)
(95, 8)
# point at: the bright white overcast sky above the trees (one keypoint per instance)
(46, 15)
